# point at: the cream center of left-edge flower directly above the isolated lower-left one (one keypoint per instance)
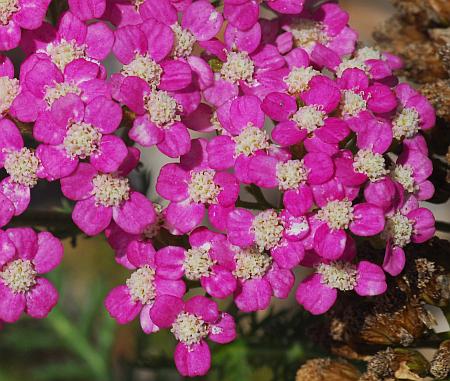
(22, 166)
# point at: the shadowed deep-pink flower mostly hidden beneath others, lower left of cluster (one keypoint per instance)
(124, 243)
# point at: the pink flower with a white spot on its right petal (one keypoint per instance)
(267, 232)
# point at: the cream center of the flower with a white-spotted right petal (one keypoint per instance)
(267, 229)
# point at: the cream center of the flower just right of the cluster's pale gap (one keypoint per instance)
(202, 187)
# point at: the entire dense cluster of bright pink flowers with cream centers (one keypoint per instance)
(281, 99)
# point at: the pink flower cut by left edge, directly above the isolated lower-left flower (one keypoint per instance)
(23, 168)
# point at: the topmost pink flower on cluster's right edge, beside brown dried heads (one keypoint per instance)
(415, 113)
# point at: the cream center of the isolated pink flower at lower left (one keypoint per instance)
(19, 275)
